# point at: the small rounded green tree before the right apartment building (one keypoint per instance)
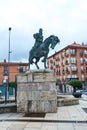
(77, 84)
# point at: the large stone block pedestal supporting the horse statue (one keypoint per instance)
(36, 92)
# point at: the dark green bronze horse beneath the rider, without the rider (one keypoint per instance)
(42, 51)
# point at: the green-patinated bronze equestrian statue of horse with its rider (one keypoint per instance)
(41, 48)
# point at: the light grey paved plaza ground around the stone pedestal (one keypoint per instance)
(67, 118)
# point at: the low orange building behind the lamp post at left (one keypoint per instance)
(15, 68)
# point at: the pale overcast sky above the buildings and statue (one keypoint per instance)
(66, 19)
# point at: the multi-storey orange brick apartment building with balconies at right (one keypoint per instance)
(70, 62)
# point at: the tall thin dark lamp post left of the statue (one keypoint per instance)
(7, 95)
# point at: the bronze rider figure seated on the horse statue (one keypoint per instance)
(38, 38)
